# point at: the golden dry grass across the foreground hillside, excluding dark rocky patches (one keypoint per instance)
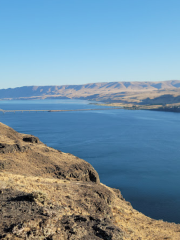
(76, 197)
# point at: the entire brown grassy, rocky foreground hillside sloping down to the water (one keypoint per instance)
(48, 194)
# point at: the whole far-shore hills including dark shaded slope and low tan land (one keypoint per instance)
(164, 92)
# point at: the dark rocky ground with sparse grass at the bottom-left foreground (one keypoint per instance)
(23, 218)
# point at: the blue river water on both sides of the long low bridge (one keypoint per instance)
(137, 152)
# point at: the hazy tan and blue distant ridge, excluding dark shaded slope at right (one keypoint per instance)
(92, 91)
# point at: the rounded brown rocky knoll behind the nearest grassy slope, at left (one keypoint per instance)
(39, 160)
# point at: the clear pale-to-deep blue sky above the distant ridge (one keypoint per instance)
(57, 42)
